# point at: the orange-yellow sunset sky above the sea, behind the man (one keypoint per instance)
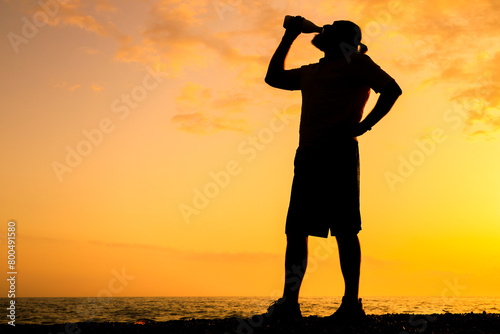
(143, 155)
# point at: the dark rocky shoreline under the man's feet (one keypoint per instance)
(472, 323)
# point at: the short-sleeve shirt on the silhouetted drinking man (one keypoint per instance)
(334, 94)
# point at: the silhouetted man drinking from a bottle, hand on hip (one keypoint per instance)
(325, 189)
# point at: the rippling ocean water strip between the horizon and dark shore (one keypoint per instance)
(131, 309)
